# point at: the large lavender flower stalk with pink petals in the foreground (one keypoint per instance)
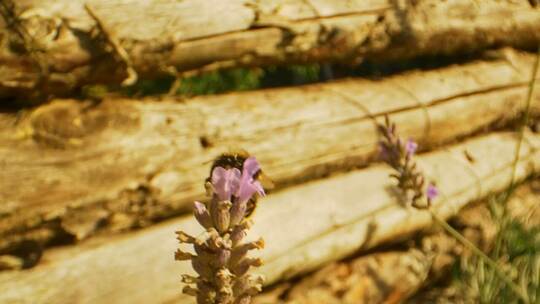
(221, 256)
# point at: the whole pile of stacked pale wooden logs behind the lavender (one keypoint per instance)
(112, 179)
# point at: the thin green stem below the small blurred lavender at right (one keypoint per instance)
(505, 277)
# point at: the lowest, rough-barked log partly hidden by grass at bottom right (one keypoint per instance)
(393, 276)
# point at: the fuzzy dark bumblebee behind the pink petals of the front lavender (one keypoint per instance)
(236, 159)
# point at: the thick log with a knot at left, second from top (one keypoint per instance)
(121, 164)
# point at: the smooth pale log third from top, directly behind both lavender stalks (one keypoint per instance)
(304, 228)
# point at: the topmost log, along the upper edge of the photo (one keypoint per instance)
(54, 47)
